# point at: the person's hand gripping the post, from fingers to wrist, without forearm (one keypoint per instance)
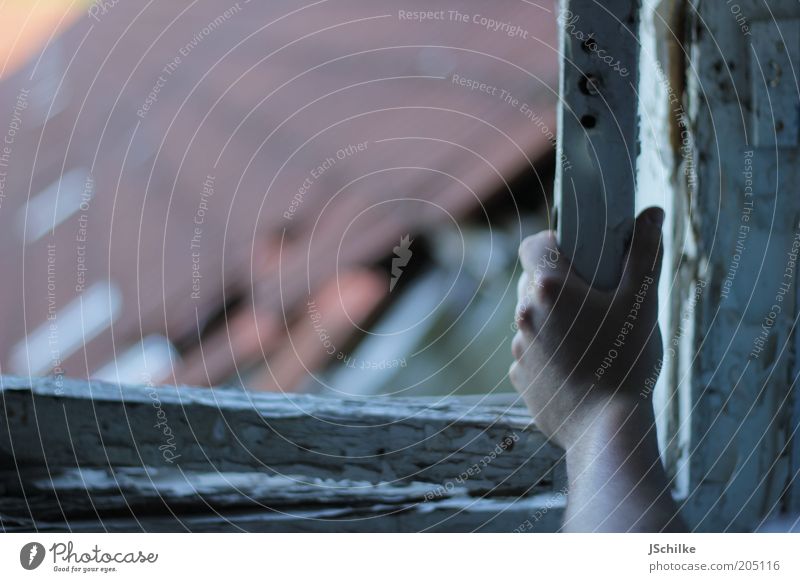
(582, 353)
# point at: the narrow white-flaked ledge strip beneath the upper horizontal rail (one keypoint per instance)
(144, 493)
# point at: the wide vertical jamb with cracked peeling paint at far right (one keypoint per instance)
(744, 221)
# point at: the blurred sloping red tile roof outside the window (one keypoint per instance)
(223, 149)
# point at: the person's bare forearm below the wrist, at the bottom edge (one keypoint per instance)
(616, 480)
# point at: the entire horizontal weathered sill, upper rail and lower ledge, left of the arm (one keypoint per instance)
(94, 456)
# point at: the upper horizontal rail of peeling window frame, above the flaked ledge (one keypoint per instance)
(71, 424)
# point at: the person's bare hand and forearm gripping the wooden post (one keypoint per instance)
(585, 360)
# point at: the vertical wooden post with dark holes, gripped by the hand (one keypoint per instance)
(597, 134)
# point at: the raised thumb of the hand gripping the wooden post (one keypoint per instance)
(645, 251)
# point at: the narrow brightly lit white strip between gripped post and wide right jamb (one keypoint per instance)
(665, 173)
